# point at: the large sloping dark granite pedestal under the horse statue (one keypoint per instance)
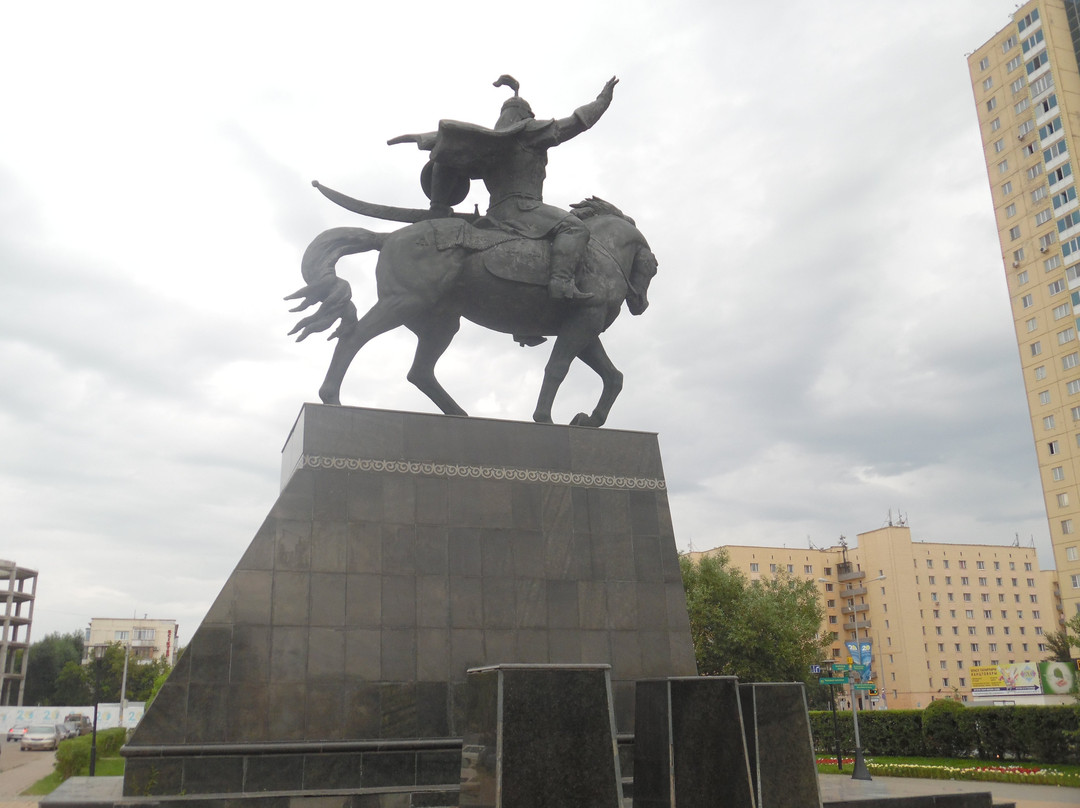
(404, 550)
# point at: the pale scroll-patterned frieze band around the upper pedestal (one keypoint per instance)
(482, 473)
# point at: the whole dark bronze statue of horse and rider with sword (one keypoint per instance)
(525, 268)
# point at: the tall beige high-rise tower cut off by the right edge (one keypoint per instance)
(1028, 92)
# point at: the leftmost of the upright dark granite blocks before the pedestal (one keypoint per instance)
(541, 736)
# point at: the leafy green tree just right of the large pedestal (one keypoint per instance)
(767, 630)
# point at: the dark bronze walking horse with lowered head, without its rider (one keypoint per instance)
(428, 290)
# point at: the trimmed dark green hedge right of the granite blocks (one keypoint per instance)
(949, 730)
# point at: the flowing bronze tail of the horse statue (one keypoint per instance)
(323, 287)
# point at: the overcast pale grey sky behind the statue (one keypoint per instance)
(830, 335)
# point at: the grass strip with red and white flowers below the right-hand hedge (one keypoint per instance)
(948, 769)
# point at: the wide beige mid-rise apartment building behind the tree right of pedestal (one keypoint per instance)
(930, 611)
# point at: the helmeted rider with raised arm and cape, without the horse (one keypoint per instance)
(512, 160)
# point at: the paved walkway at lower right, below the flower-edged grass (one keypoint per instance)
(842, 787)
